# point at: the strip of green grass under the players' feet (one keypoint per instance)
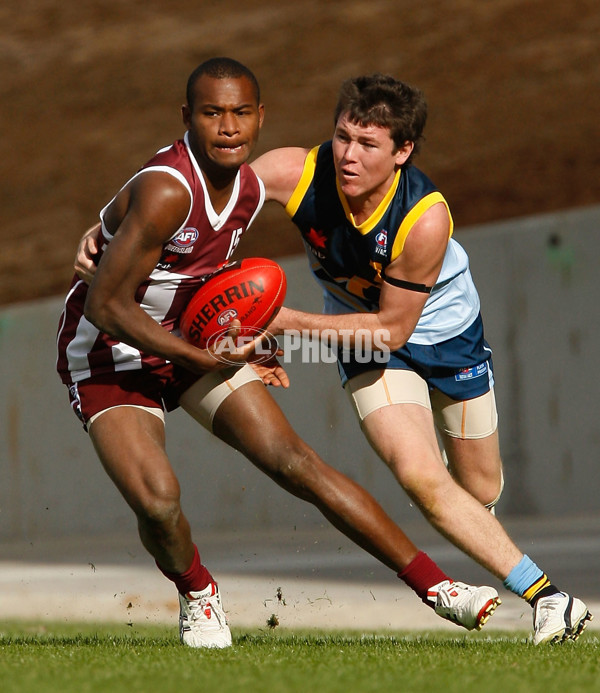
(120, 659)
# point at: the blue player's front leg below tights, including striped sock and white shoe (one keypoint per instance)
(412, 453)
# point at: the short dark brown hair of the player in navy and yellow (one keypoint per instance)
(382, 100)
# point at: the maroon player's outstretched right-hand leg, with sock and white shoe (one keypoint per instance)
(251, 421)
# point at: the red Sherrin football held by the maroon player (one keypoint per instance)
(250, 290)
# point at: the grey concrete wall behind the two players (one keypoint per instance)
(541, 306)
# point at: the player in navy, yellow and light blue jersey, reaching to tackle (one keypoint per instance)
(378, 235)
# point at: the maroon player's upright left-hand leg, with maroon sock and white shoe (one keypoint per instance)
(131, 445)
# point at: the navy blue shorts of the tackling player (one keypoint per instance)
(460, 367)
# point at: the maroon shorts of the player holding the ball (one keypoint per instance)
(159, 387)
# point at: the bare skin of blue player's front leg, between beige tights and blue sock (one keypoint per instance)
(404, 437)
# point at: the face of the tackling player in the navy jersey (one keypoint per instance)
(366, 160)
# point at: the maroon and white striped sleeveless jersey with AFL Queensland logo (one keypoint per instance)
(203, 242)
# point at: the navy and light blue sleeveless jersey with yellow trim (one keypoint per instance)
(349, 259)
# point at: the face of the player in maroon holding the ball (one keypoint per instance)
(224, 122)
